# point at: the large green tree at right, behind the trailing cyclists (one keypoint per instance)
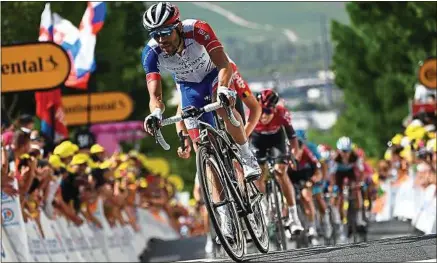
(375, 63)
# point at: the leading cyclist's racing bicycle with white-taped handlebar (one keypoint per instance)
(219, 165)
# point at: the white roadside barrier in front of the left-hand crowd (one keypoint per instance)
(65, 242)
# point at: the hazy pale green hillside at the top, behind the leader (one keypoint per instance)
(270, 19)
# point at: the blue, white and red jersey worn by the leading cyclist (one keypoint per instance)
(193, 71)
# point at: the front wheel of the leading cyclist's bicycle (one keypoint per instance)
(210, 176)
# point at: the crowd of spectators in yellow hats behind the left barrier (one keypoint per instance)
(62, 180)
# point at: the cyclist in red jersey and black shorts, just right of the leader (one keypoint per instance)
(272, 133)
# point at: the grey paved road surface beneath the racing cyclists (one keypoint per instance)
(388, 242)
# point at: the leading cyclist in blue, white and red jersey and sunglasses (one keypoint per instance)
(190, 50)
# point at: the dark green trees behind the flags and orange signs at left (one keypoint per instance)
(118, 58)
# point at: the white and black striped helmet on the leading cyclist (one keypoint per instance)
(162, 13)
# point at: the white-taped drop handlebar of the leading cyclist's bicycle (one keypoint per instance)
(194, 113)
